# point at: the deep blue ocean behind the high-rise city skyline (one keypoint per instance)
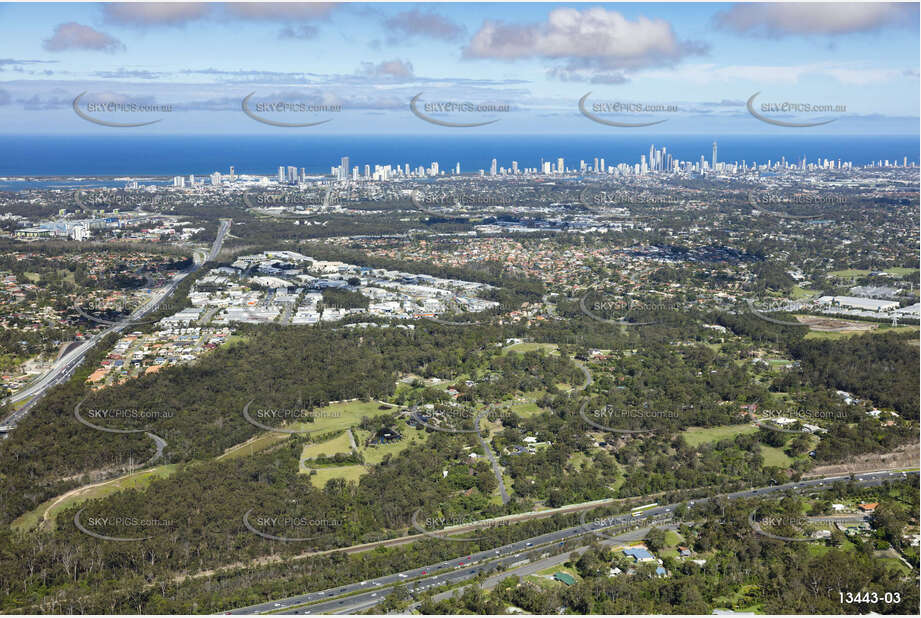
(139, 155)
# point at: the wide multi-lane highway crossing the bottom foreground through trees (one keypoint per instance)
(368, 593)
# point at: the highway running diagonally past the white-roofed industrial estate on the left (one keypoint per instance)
(64, 367)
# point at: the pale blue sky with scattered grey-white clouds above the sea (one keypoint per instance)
(388, 68)
